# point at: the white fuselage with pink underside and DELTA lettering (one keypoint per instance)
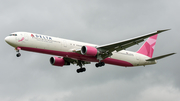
(65, 48)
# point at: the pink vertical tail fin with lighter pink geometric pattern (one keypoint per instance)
(148, 47)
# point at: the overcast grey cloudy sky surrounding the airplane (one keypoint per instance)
(32, 78)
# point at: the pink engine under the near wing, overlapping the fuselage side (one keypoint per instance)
(89, 50)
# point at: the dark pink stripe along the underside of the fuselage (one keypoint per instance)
(78, 56)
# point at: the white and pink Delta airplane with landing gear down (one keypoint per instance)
(74, 52)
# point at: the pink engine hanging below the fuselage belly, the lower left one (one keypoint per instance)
(57, 61)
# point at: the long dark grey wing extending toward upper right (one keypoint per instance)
(109, 48)
